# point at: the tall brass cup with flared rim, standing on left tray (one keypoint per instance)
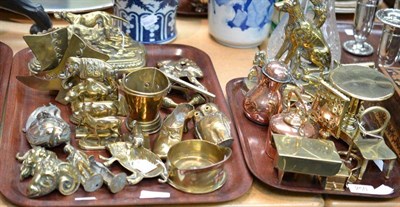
(144, 90)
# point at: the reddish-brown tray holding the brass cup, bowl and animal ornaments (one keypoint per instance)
(23, 100)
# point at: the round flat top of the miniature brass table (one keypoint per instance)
(362, 83)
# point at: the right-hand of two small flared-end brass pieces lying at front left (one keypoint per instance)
(115, 182)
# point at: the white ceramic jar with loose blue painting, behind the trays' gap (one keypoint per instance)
(240, 23)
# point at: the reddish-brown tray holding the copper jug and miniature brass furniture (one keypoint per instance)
(253, 139)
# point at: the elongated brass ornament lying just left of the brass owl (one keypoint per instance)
(172, 129)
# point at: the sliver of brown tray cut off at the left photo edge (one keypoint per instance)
(6, 57)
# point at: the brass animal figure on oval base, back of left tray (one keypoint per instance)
(97, 29)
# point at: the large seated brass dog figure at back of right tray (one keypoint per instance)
(302, 40)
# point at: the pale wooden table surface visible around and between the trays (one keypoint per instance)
(229, 63)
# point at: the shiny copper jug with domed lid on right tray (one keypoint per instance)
(265, 100)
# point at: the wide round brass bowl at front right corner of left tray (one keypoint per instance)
(196, 166)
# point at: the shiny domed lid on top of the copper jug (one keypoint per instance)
(277, 71)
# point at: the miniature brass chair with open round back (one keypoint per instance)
(371, 144)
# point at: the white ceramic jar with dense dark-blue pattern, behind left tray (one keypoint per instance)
(150, 21)
